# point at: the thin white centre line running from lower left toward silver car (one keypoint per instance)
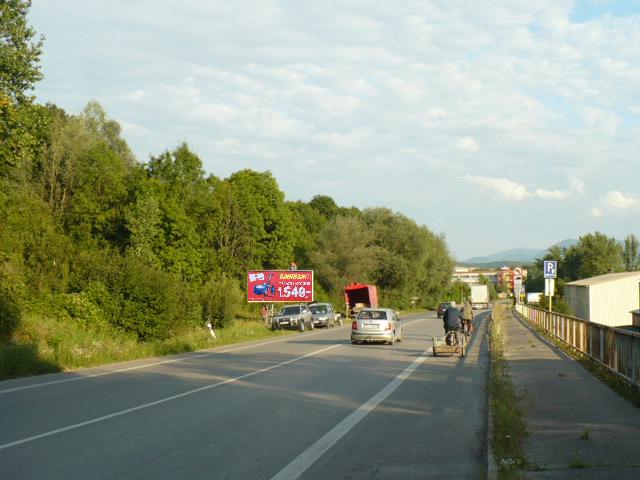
(163, 400)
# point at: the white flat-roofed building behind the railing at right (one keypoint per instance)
(605, 299)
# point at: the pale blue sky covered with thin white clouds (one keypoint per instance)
(502, 125)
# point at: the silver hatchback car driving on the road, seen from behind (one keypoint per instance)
(376, 325)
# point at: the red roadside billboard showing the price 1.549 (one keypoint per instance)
(271, 286)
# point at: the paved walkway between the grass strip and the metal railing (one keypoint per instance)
(574, 420)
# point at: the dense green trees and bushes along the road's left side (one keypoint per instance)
(98, 249)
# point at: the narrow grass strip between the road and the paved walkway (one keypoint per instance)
(507, 413)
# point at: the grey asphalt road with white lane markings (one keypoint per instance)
(308, 406)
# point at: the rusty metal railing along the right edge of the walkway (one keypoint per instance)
(615, 348)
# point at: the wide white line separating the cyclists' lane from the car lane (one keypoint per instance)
(298, 466)
